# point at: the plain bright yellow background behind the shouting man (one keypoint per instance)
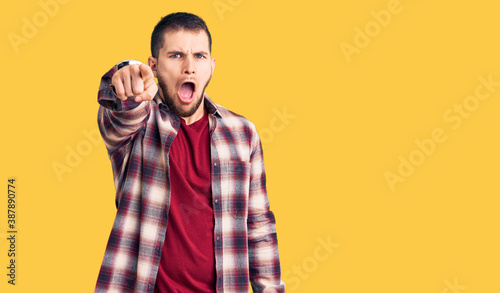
(436, 232)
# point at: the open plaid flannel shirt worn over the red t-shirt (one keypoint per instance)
(138, 137)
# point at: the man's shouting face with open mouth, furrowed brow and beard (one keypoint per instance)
(183, 68)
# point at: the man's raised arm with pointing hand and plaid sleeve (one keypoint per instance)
(124, 96)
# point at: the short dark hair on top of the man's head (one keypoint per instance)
(174, 22)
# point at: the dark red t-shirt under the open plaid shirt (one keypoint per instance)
(187, 262)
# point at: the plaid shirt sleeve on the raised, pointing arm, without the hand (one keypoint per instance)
(118, 120)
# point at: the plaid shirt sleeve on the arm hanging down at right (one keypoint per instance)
(264, 264)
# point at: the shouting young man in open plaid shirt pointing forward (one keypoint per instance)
(192, 208)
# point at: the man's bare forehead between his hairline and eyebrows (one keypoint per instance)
(184, 40)
